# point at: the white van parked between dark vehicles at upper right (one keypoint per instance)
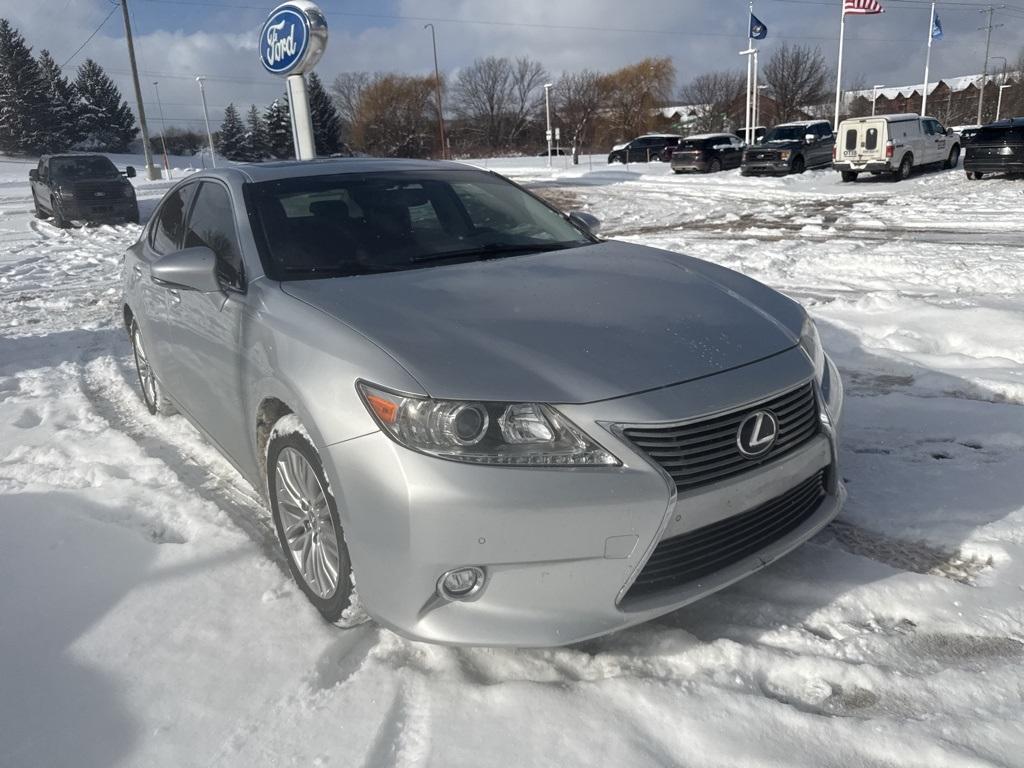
(893, 144)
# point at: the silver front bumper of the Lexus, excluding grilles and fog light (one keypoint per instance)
(561, 547)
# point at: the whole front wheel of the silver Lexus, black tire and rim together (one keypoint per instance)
(306, 517)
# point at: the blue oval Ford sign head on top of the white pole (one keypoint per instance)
(293, 38)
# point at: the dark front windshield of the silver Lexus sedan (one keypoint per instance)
(320, 227)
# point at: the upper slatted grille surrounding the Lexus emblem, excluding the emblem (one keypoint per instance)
(706, 452)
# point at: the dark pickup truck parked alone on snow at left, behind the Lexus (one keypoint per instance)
(82, 188)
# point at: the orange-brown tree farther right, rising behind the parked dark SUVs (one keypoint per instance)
(633, 93)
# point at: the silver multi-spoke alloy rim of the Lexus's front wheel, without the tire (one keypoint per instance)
(307, 523)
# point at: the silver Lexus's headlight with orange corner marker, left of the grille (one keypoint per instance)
(507, 434)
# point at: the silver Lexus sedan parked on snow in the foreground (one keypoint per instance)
(502, 430)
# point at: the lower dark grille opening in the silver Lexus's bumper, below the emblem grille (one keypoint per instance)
(699, 553)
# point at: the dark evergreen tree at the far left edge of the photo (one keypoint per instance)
(23, 96)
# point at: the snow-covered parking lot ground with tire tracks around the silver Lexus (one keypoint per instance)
(147, 619)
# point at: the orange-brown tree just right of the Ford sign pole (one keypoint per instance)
(395, 117)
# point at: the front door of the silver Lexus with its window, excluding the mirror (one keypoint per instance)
(207, 328)
